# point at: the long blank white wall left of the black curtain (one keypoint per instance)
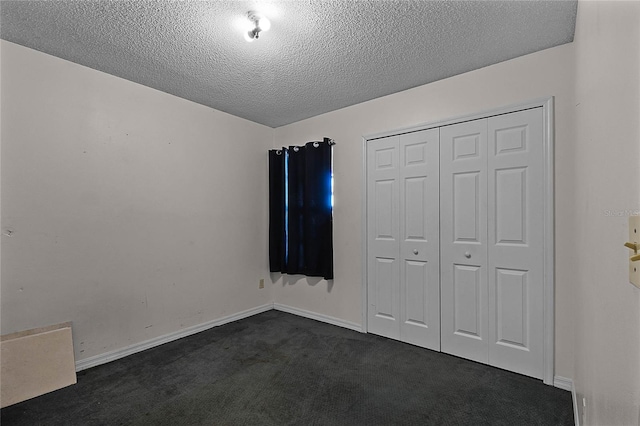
(134, 213)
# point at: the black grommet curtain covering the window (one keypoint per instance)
(300, 210)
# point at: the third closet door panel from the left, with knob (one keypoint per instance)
(463, 240)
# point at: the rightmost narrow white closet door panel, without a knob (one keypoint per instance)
(515, 256)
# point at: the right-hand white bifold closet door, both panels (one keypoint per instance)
(491, 228)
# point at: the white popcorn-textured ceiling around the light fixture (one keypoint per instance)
(320, 55)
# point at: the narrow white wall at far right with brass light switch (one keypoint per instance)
(607, 178)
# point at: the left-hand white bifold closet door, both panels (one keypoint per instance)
(403, 288)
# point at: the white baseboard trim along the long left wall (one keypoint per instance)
(106, 357)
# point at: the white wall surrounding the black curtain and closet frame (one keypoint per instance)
(546, 73)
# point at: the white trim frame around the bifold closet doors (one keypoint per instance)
(547, 105)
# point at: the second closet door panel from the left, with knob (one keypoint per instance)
(419, 245)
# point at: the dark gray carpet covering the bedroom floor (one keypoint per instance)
(279, 369)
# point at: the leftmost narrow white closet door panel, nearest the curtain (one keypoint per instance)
(383, 237)
